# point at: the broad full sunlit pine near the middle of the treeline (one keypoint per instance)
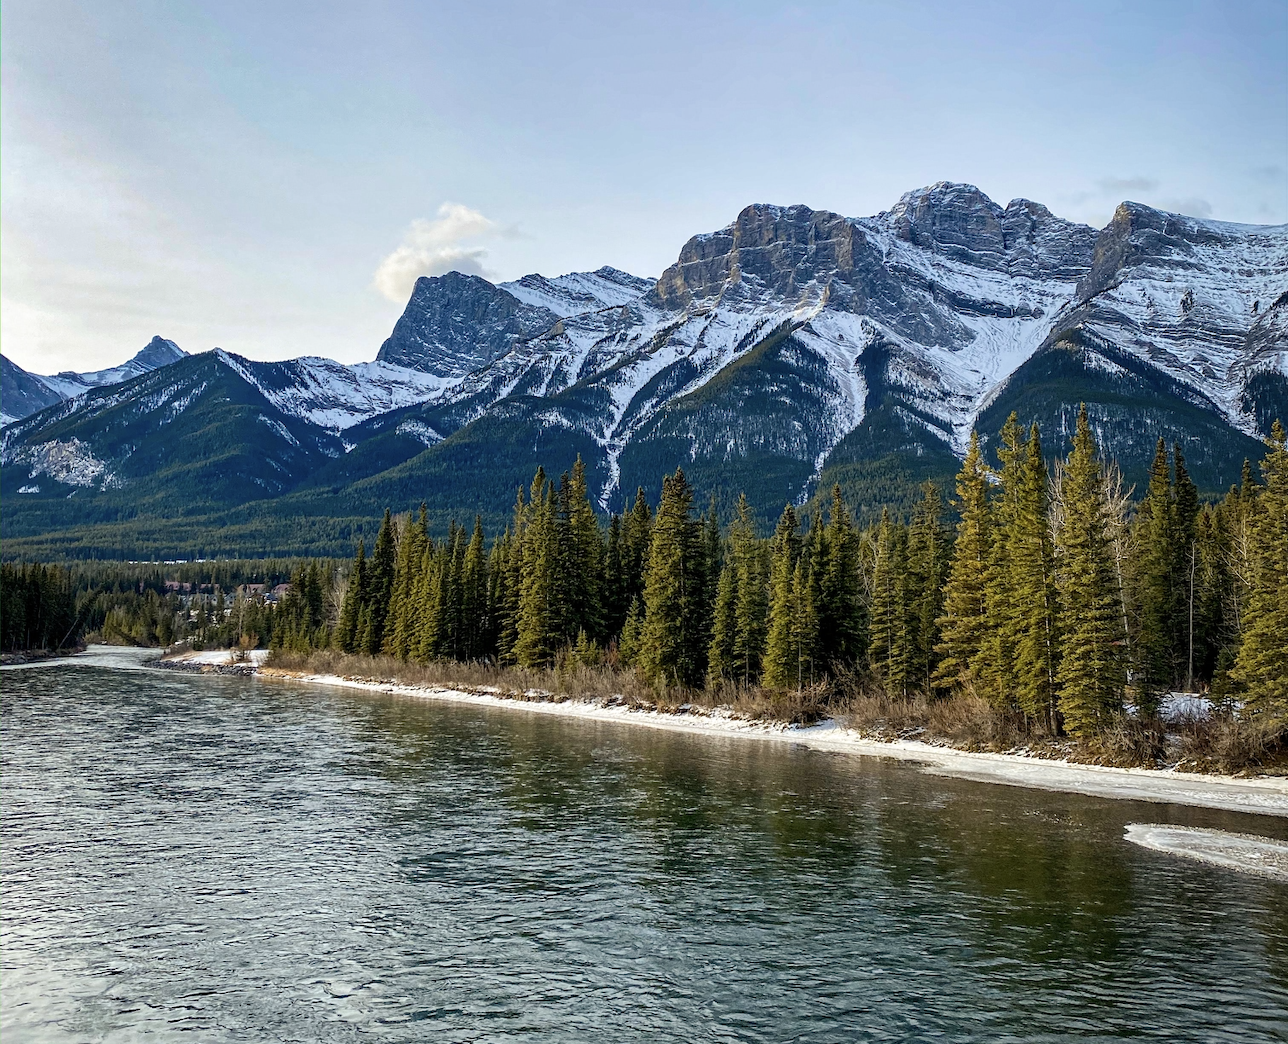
(673, 648)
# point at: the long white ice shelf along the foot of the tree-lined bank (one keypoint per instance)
(1260, 796)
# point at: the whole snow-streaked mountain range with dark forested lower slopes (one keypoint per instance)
(791, 350)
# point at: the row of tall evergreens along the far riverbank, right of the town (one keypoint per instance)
(1052, 597)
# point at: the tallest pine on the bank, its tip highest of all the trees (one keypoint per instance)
(1093, 675)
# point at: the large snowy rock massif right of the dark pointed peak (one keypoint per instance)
(779, 337)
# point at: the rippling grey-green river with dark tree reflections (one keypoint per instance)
(223, 859)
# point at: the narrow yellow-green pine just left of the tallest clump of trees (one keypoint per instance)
(965, 625)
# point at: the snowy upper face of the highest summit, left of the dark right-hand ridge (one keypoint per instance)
(936, 311)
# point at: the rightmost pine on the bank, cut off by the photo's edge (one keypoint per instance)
(1262, 666)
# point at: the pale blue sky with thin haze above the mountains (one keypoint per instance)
(235, 174)
